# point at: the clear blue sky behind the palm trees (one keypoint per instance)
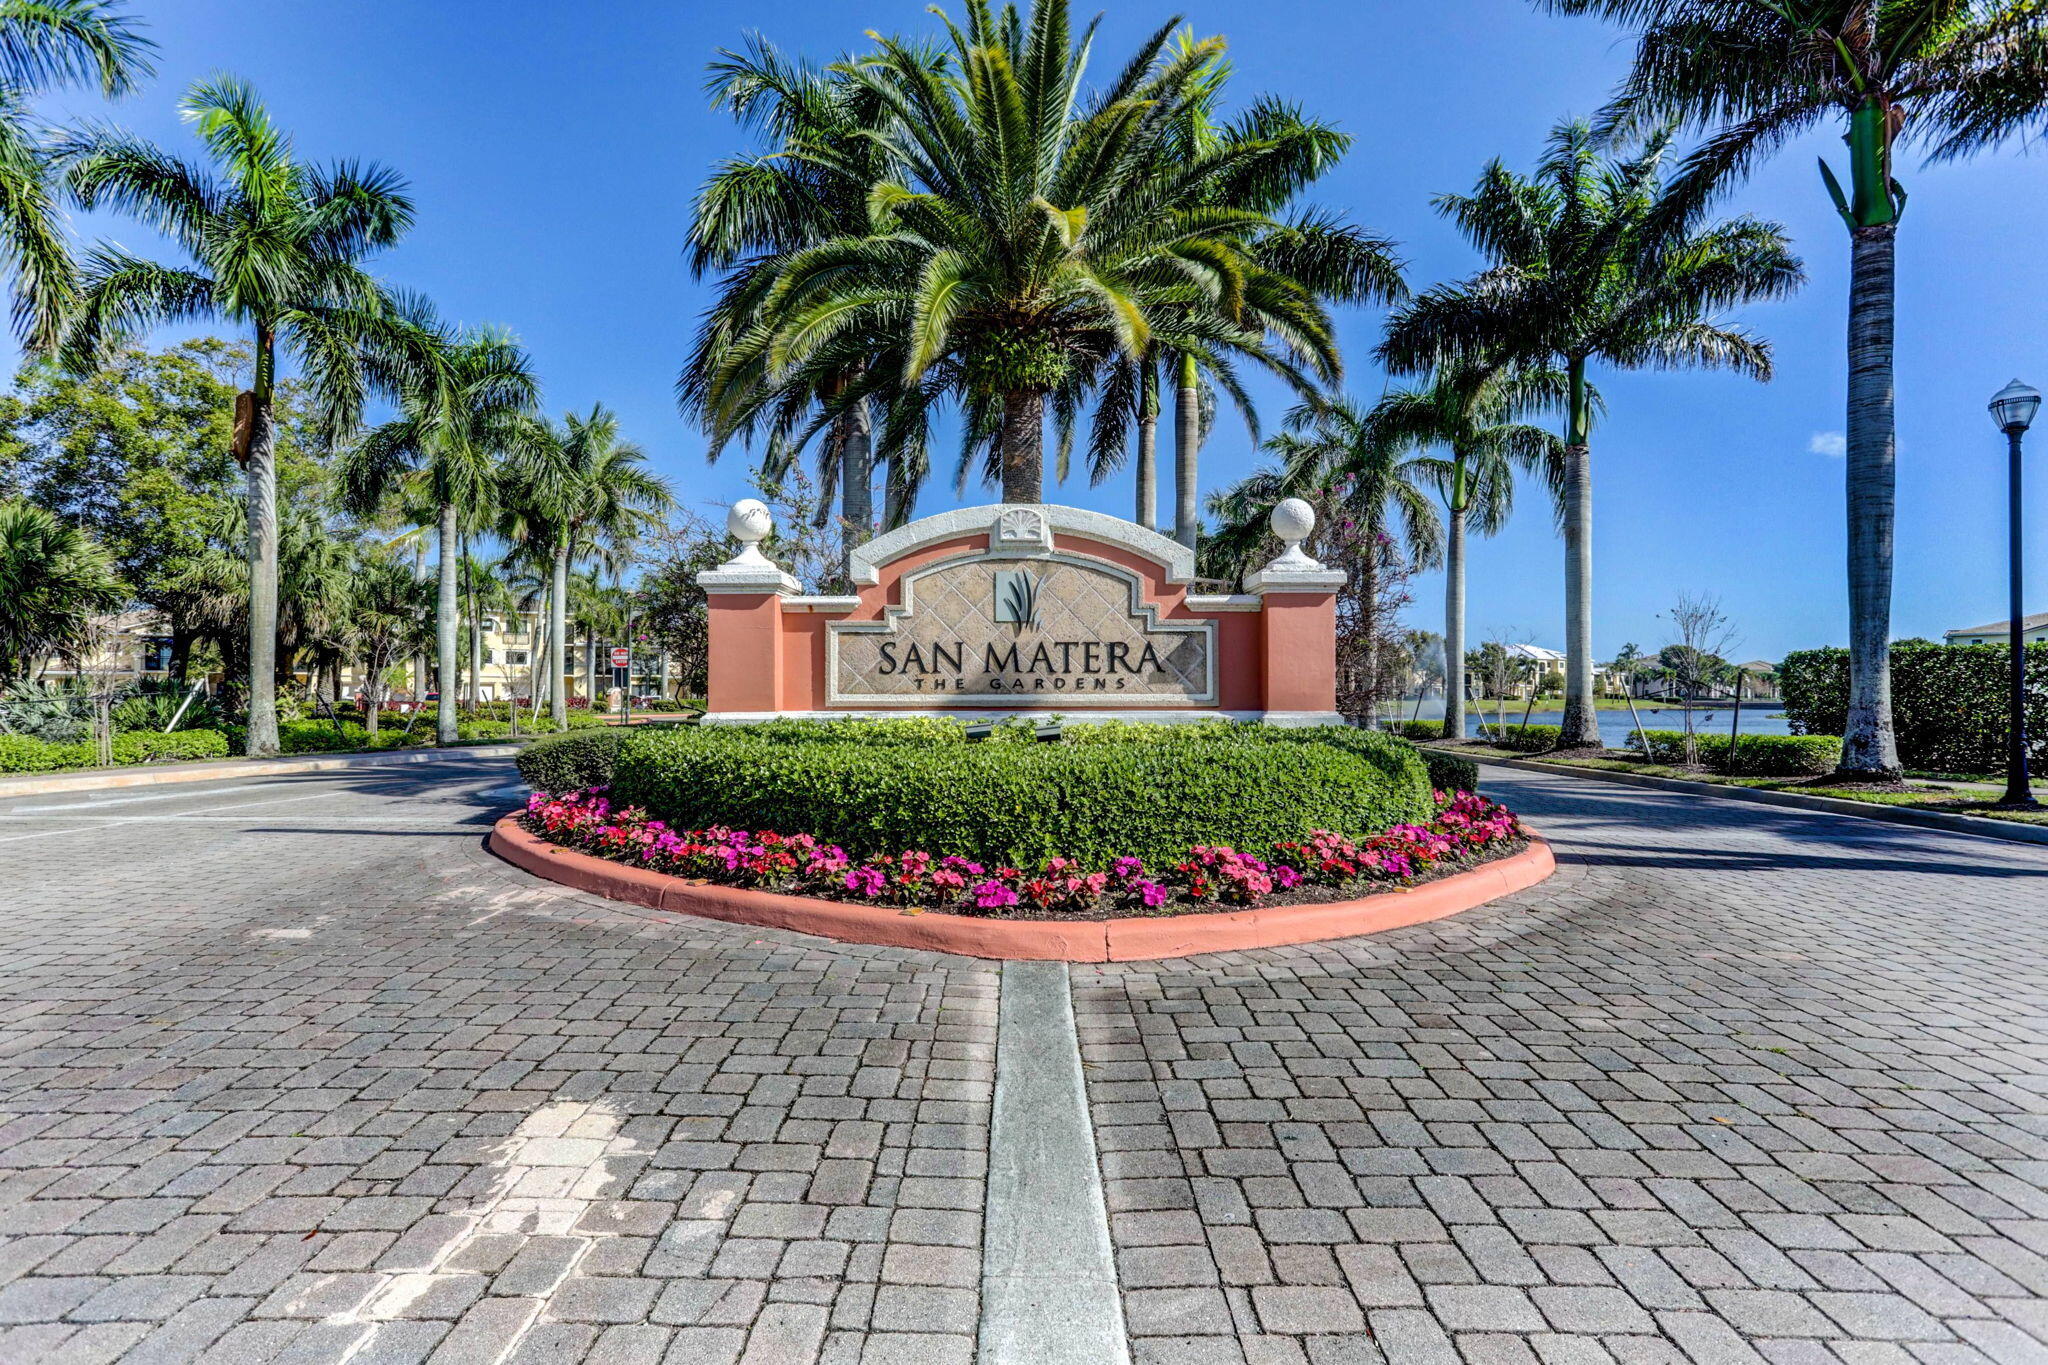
(554, 150)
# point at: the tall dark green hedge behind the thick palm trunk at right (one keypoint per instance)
(1949, 703)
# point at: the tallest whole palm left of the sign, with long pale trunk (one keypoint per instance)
(278, 247)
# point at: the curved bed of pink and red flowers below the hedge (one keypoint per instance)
(1465, 830)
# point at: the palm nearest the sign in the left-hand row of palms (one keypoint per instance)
(583, 490)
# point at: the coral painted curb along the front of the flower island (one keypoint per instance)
(1035, 940)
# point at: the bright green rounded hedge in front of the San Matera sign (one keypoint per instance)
(1115, 791)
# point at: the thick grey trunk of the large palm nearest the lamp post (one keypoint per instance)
(1871, 748)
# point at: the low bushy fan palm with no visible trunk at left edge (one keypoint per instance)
(54, 580)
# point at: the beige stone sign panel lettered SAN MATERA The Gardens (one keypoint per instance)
(1046, 629)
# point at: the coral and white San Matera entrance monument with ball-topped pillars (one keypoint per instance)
(1023, 609)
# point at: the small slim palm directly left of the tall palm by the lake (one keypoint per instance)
(1471, 410)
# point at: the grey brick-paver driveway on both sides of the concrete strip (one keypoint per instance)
(294, 1071)
